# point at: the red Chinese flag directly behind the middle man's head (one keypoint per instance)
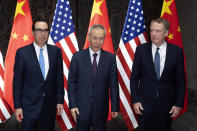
(100, 16)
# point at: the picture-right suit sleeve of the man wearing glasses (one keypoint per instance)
(60, 81)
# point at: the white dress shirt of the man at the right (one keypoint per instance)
(162, 53)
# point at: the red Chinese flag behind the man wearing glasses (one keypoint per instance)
(21, 35)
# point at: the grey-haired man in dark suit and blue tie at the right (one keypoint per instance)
(158, 80)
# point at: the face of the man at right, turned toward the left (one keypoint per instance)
(158, 33)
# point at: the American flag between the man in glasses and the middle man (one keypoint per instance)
(62, 35)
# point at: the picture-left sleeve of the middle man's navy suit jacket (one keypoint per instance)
(72, 82)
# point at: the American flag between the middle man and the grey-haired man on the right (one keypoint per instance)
(133, 34)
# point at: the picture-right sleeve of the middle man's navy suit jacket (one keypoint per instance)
(114, 89)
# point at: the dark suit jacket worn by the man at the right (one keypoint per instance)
(144, 82)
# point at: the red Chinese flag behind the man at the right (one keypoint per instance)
(169, 13)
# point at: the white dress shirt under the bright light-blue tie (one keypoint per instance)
(45, 55)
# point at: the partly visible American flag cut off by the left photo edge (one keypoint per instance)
(5, 111)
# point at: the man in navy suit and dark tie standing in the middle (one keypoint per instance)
(89, 85)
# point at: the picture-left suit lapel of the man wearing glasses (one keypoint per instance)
(35, 61)
